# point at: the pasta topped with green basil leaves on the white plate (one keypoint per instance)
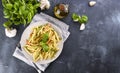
(42, 43)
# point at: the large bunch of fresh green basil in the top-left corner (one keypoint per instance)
(19, 11)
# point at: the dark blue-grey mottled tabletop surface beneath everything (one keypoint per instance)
(94, 50)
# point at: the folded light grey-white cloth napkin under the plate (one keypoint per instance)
(38, 17)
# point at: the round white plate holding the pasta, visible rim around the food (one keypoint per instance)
(26, 35)
